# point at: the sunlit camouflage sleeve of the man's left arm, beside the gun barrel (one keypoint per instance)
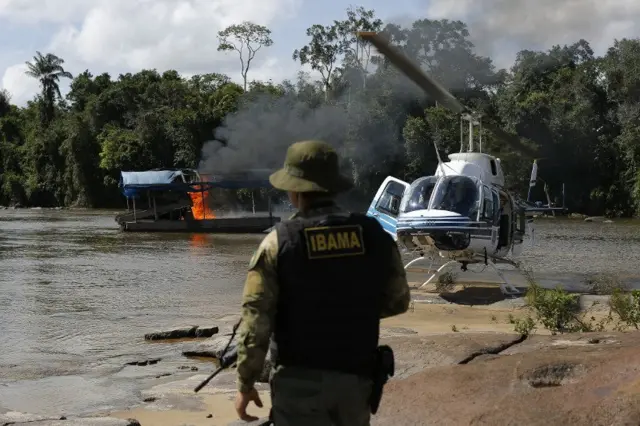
(258, 313)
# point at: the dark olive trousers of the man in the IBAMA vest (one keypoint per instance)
(302, 397)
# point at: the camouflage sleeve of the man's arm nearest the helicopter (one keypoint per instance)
(396, 293)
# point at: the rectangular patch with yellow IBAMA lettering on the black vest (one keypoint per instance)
(334, 241)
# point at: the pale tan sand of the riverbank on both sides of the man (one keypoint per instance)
(428, 315)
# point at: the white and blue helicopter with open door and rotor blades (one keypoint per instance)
(462, 213)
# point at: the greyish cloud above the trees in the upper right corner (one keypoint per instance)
(500, 28)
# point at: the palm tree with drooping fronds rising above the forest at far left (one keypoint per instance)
(48, 70)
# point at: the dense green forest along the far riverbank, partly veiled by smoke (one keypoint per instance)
(581, 110)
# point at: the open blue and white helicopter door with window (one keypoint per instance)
(385, 206)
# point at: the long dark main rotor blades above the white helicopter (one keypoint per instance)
(433, 88)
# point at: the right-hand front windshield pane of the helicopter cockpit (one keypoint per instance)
(459, 194)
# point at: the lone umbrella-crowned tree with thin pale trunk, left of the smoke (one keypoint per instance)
(239, 37)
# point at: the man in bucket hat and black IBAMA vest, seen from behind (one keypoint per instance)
(320, 282)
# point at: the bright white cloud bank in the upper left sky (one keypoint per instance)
(127, 35)
